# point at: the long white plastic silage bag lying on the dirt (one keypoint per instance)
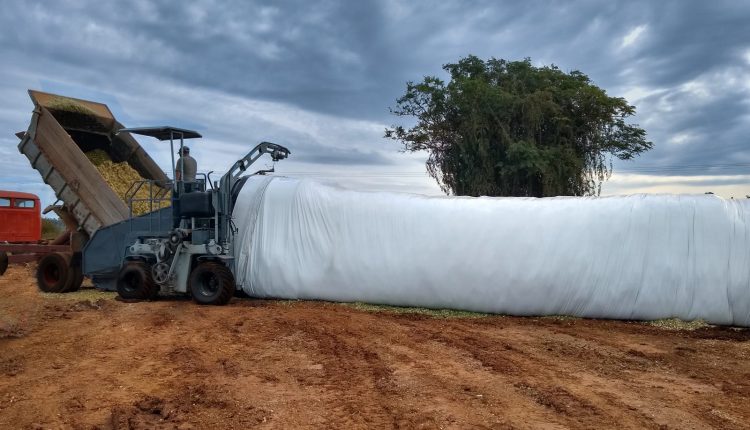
(630, 257)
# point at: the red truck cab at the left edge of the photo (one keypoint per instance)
(20, 217)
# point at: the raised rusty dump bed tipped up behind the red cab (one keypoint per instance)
(61, 131)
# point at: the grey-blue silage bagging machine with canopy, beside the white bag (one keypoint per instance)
(184, 248)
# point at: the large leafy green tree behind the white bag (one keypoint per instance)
(508, 128)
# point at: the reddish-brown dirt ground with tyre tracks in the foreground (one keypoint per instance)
(87, 361)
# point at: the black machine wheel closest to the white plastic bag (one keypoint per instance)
(211, 284)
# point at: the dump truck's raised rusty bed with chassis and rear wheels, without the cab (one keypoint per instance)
(61, 132)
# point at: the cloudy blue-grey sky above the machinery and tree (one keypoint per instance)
(318, 77)
